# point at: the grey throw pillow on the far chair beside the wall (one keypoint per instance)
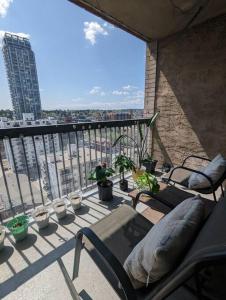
(215, 169)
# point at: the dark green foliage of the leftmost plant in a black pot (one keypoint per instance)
(100, 174)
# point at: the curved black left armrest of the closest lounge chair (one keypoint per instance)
(109, 259)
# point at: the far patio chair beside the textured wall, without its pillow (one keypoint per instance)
(184, 173)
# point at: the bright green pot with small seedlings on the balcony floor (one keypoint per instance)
(18, 226)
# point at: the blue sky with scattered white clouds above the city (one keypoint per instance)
(82, 61)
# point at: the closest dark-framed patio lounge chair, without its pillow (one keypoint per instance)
(199, 273)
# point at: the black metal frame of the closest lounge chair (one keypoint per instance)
(211, 256)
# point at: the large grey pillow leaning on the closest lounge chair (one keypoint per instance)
(165, 243)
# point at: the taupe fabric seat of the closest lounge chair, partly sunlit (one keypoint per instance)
(120, 231)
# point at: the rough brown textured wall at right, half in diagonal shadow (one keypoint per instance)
(189, 90)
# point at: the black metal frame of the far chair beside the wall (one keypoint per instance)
(213, 186)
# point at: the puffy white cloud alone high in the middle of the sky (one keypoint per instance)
(92, 29)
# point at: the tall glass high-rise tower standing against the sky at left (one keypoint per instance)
(22, 75)
